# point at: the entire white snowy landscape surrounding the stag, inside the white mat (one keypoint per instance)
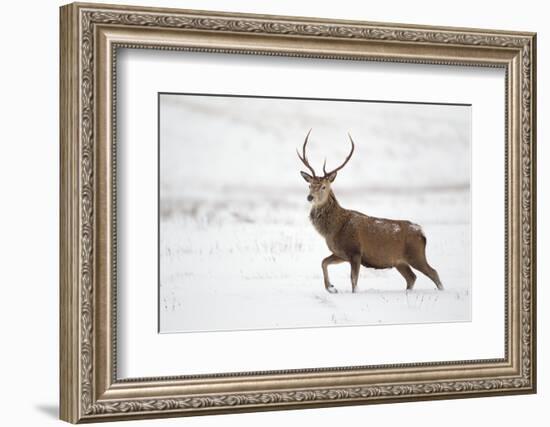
(237, 250)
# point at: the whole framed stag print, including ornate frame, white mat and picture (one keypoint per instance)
(266, 212)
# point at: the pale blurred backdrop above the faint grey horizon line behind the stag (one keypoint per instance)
(212, 143)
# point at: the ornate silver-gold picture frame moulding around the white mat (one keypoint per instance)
(90, 37)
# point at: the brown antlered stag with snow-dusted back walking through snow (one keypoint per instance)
(361, 239)
